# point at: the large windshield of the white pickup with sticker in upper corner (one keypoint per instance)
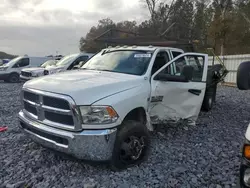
(123, 61)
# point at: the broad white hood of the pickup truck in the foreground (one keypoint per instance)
(86, 86)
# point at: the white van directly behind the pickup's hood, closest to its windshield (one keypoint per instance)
(68, 63)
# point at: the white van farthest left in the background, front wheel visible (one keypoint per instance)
(10, 71)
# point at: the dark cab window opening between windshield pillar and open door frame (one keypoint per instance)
(160, 60)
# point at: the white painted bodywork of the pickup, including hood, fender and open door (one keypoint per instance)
(126, 92)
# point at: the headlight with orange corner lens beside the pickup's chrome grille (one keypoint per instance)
(98, 114)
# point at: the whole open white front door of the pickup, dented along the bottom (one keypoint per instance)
(174, 101)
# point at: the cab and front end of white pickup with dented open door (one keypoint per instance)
(105, 109)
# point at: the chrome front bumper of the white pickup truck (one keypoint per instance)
(96, 145)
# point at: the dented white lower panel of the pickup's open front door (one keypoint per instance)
(172, 102)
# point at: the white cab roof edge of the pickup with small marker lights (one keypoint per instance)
(144, 48)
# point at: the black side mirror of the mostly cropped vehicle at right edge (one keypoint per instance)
(243, 76)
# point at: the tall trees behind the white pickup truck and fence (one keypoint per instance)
(221, 24)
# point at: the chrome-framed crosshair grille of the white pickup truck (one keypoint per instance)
(51, 109)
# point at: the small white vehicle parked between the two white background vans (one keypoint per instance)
(34, 72)
